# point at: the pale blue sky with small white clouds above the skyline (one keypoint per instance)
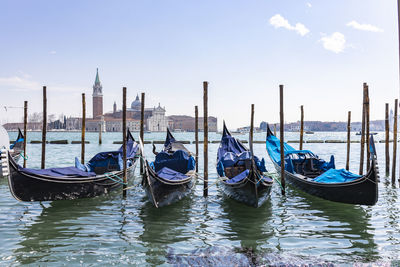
(322, 51)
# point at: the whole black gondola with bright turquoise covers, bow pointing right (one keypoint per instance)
(309, 173)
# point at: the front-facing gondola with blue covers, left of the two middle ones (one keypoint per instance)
(171, 176)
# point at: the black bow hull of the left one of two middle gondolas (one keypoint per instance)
(163, 193)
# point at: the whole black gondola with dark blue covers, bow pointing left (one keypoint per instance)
(100, 175)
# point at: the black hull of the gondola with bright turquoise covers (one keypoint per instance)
(363, 191)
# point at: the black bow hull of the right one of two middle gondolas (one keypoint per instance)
(247, 192)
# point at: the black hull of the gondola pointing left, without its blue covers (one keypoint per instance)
(25, 187)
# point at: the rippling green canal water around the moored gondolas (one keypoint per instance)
(112, 230)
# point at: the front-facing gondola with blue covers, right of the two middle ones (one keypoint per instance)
(241, 174)
